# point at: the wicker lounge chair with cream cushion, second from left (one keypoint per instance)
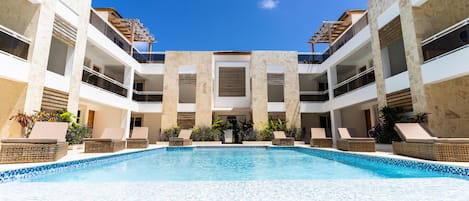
(110, 141)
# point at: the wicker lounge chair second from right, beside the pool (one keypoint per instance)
(349, 143)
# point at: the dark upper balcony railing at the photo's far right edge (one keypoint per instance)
(449, 40)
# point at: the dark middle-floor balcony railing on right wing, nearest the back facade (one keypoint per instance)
(361, 79)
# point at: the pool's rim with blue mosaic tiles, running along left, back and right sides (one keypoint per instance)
(19, 174)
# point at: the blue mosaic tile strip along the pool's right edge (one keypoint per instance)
(347, 157)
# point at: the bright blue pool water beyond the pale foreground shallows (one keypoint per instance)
(231, 164)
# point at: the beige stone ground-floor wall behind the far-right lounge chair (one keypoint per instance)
(448, 107)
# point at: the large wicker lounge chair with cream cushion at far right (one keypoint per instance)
(419, 143)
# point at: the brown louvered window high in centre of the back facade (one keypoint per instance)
(231, 81)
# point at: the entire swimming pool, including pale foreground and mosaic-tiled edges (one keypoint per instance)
(254, 173)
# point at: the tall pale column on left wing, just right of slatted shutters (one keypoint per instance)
(78, 57)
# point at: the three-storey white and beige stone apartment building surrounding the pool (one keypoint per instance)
(408, 53)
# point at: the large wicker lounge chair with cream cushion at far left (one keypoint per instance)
(45, 143)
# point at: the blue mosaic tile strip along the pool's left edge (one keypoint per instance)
(31, 172)
